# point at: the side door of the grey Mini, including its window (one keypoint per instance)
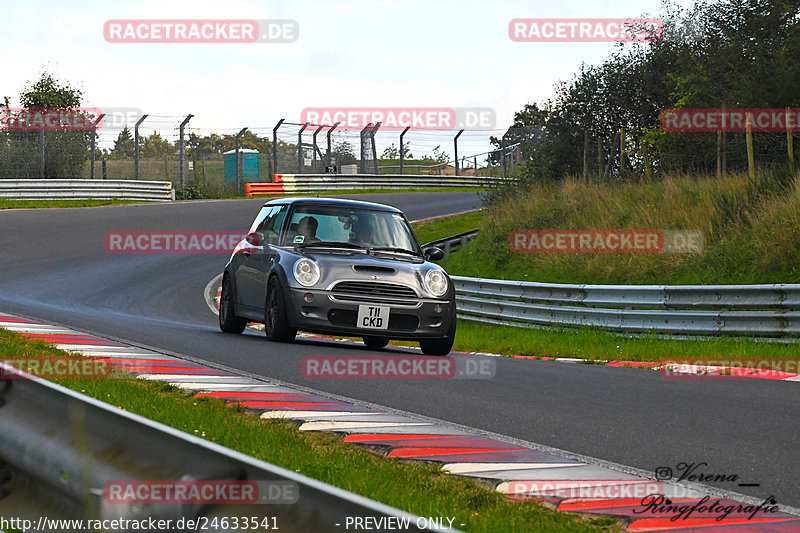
(258, 260)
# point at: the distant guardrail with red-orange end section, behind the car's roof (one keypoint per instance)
(299, 183)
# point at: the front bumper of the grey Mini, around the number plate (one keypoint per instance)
(328, 313)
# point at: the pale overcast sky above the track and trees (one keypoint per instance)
(350, 53)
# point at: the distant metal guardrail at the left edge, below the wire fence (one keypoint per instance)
(86, 189)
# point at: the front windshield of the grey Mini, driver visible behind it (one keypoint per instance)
(349, 227)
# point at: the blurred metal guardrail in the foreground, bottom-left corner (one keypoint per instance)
(60, 448)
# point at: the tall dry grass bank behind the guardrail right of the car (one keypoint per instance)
(751, 229)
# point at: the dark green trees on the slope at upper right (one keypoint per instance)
(732, 54)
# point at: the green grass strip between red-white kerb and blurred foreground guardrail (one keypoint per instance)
(415, 487)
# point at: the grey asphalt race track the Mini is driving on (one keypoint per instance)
(54, 267)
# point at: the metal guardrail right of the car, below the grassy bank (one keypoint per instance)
(757, 310)
